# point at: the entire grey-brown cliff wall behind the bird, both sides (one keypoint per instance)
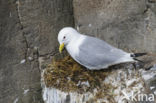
(28, 36)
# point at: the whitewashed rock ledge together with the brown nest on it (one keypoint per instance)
(64, 79)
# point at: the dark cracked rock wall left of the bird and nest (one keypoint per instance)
(28, 31)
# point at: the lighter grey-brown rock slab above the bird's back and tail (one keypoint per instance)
(125, 24)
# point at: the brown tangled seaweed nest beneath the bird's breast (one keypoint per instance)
(67, 75)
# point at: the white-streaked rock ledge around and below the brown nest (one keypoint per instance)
(126, 85)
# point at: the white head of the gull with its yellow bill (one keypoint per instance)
(65, 36)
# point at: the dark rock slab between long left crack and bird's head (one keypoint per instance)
(41, 21)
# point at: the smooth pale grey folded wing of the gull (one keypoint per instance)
(95, 53)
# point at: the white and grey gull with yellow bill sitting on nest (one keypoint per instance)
(91, 52)
